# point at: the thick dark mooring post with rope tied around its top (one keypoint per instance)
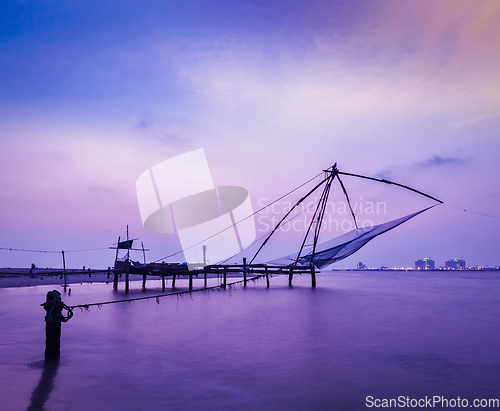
(54, 306)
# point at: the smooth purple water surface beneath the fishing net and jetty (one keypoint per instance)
(357, 334)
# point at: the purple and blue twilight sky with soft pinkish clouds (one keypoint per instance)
(92, 94)
